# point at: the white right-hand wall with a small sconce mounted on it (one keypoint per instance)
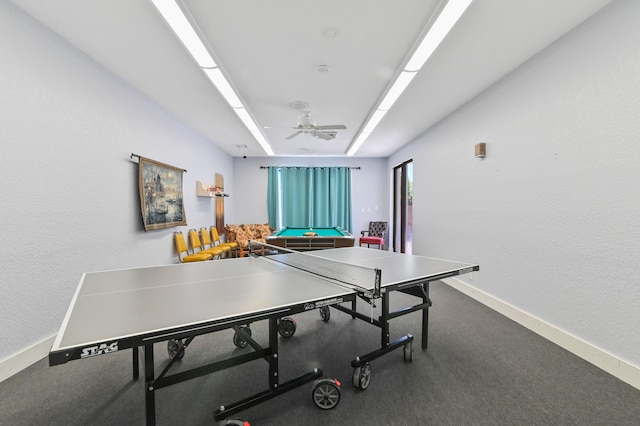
(552, 214)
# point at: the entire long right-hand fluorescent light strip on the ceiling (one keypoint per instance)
(445, 21)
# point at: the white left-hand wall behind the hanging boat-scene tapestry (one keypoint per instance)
(67, 183)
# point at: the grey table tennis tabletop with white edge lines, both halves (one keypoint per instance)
(119, 304)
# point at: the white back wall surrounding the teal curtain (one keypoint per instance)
(369, 187)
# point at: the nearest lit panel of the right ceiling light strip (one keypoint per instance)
(451, 13)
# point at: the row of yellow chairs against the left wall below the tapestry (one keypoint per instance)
(205, 245)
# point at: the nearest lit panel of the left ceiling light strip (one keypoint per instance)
(180, 25)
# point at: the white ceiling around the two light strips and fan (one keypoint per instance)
(272, 52)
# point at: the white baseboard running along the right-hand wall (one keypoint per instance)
(624, 371)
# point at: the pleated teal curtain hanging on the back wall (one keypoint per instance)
(309, 197)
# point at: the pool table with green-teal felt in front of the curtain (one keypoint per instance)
(324, 238)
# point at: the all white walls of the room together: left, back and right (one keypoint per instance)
(552, 214)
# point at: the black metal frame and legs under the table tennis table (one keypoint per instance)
(418, 288)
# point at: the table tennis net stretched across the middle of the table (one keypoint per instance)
(359, 277)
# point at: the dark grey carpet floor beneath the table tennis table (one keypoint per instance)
(480, 369)
